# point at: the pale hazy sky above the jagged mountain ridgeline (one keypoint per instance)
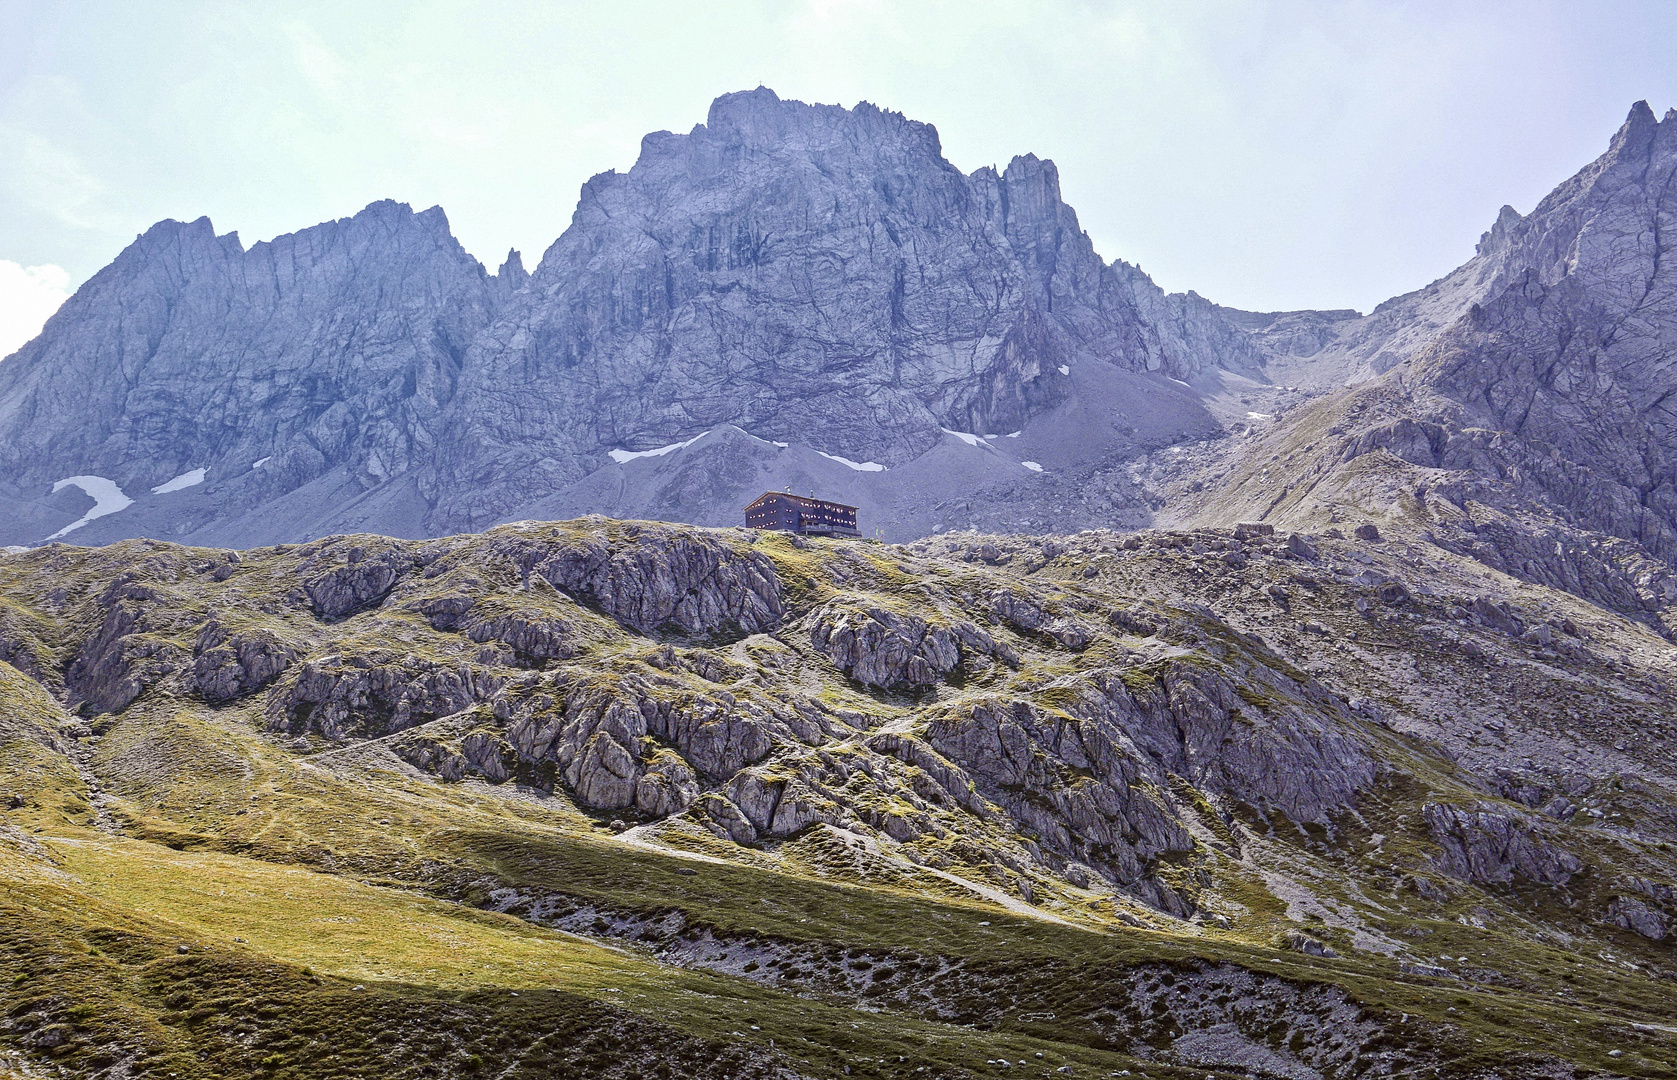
(1269, 155)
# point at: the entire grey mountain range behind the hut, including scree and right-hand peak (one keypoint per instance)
(821, 283)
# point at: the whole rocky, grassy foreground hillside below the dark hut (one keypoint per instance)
(633, 799)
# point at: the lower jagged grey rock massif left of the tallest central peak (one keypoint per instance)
(326, 353)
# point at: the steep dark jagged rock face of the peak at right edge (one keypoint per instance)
(1569, 355)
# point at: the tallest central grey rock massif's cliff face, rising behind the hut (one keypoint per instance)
(804, 273)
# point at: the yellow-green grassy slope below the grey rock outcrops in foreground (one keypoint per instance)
(336, 878)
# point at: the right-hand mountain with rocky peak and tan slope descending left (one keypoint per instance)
(1537, 430)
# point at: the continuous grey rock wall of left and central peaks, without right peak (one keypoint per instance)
(804, 273)
